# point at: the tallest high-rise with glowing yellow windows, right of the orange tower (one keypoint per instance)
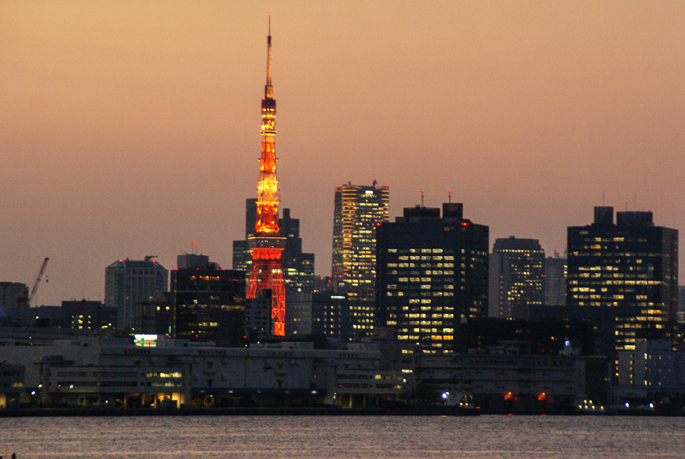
(358, 211)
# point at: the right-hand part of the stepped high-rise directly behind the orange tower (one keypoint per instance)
(298, 267)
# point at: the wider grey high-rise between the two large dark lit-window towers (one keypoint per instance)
(515, 276)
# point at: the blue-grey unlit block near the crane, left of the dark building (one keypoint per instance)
(128, 282)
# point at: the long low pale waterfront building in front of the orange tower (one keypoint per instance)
(164, 372)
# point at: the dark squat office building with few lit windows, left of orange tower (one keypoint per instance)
(209, 302)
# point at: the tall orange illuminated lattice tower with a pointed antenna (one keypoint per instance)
(266, 244)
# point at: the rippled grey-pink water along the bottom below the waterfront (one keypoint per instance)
(343, 436)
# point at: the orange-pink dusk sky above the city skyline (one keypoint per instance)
(131, 128)
